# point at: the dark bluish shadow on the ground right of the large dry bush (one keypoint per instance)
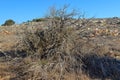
(102, 67)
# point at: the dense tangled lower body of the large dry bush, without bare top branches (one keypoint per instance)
(53, 49)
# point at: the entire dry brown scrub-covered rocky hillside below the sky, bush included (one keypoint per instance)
(87, 50)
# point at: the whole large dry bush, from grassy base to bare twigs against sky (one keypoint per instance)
(53, 48)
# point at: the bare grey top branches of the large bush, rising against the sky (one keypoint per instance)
(64, 16)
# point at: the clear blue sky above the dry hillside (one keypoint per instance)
(23, 10)
